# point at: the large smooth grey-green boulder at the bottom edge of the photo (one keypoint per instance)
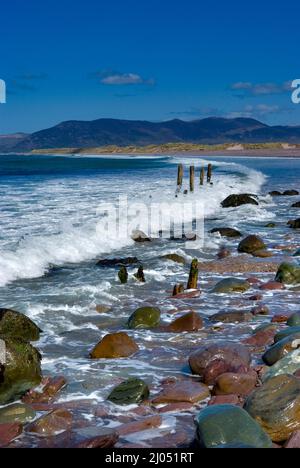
(224, 425)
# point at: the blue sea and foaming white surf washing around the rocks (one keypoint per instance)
(49, 246)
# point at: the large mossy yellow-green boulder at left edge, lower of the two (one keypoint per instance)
(20, 372)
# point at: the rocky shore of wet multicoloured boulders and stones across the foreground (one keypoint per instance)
(236, 384)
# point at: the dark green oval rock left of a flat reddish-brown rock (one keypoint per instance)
(130, 392)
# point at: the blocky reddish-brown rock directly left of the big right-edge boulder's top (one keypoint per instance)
(235, 384)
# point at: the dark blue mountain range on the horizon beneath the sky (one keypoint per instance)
(103, 132)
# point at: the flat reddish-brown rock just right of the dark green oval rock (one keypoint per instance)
(184, 391)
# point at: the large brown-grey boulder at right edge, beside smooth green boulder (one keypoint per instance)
(276, 406)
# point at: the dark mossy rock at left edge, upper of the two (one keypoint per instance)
(17, 325)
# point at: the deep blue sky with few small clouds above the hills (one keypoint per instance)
(154, 60)
